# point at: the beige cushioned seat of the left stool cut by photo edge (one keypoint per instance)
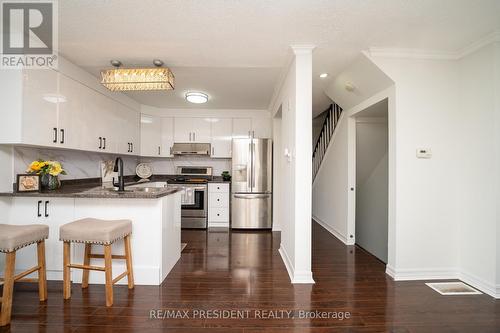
(13, 237)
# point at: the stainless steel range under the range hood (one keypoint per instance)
(194, 198)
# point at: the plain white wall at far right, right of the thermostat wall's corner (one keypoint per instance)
(478, 161)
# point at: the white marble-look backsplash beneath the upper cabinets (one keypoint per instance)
(81, 164)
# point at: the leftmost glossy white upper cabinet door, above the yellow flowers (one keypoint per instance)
(39, 119)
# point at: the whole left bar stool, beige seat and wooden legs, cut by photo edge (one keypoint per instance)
(12, 238)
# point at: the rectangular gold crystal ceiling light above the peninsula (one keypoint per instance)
(139, 79)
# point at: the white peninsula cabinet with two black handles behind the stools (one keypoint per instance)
(53, 212)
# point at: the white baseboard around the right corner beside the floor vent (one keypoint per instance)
(448, 273)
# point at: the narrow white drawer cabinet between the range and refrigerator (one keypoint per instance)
(218, 205)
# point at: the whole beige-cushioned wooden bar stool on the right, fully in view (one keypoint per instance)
(96, 232)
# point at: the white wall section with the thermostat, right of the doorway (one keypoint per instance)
(426, 104)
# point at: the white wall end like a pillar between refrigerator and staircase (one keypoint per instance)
(294, 99)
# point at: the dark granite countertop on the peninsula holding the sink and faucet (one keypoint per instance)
(91, 188)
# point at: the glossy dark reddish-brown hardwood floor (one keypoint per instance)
(243, 271)
